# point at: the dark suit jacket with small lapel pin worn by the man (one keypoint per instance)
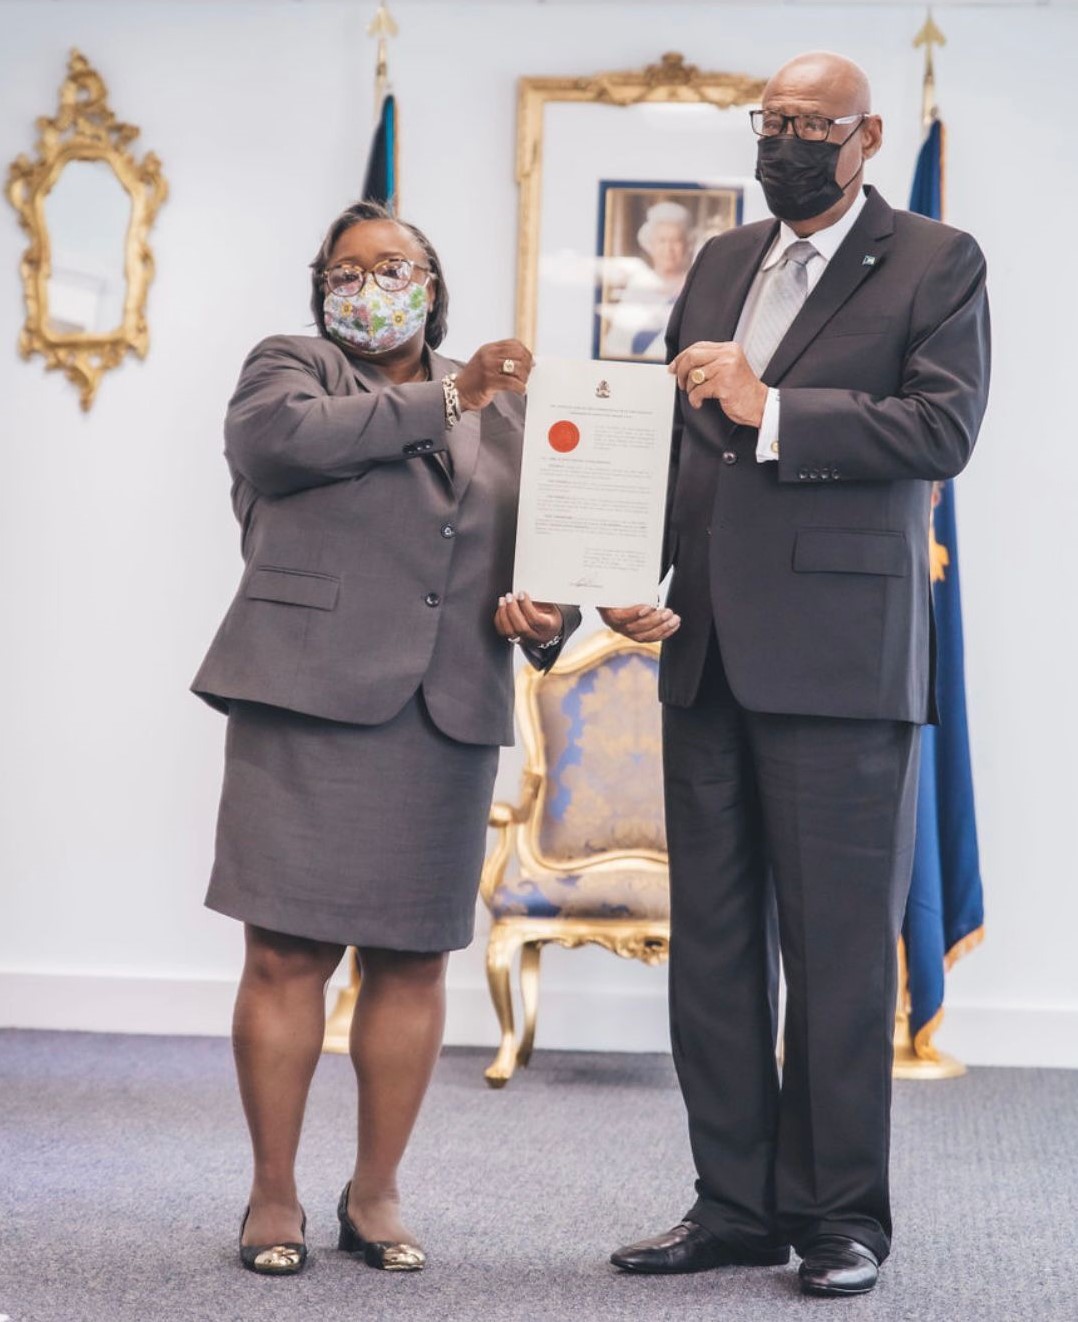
(815, 569)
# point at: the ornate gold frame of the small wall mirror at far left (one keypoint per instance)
(85, 130)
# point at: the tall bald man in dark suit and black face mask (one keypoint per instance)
(833, 364)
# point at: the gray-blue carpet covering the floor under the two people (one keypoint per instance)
(124, 1168)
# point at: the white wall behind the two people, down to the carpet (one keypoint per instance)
(117, 548)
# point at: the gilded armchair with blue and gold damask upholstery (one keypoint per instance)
(588, 835)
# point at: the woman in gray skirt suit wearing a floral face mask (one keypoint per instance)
(366, 671)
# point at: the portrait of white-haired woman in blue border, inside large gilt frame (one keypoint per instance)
(649, 237)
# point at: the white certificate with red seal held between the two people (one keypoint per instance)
(593, 482)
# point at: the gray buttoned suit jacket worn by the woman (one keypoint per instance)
(371, 573)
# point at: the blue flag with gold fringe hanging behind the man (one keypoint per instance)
(945, 915)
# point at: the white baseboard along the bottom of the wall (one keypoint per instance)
(571, 1020)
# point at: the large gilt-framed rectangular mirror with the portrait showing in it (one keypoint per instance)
(653, 163)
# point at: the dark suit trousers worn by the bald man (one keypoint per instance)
(823, 810)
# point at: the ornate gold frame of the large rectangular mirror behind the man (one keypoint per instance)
(669, 81)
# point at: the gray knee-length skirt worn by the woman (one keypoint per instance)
(359, 835)
